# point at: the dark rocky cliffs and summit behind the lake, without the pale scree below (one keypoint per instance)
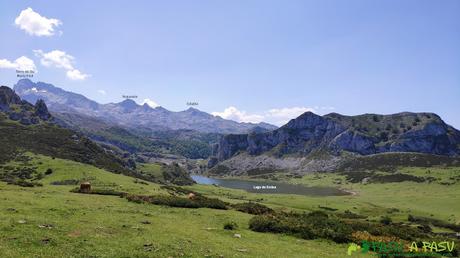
(362, 134)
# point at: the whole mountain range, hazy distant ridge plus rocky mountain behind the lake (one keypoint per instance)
(309, 142)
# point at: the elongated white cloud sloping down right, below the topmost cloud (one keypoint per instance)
(61, 59)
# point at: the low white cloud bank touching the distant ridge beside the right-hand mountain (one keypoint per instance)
(277, 116)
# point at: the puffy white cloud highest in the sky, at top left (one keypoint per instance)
(36, 25)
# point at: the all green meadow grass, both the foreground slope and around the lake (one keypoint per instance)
(51, 221)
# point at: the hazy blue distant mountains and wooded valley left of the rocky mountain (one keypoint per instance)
(152, 133)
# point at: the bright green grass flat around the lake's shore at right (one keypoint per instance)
(435, 199)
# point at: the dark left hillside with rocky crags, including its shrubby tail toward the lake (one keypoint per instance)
(28, 128)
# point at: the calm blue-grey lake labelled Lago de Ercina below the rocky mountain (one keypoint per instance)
(269, 186)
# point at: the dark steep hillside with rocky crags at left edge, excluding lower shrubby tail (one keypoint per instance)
(28, 127)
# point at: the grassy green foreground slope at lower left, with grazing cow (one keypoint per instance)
(50, 221)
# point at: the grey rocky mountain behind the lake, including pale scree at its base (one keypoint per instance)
(313, 142)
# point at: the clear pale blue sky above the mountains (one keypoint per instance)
(257, 60)
